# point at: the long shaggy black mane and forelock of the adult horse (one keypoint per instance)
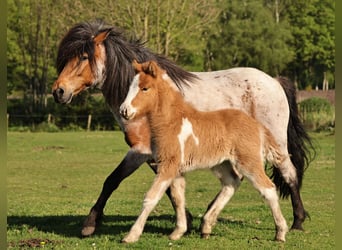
(120, 53)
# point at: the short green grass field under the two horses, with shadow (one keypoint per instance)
(55, 178)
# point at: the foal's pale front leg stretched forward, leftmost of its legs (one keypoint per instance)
(161, 182)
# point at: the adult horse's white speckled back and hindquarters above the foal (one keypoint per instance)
(248, 89)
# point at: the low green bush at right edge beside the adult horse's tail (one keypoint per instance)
(317, 114)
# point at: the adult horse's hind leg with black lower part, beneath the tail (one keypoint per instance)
(288, 171)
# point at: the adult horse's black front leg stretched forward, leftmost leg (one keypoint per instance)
(128, 165)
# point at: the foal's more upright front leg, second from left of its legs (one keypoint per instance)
(178, 197)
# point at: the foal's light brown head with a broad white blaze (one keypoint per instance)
(143, 92)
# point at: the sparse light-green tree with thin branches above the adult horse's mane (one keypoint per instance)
(174, 28)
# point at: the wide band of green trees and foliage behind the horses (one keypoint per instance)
(288, 37)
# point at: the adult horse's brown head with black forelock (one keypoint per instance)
(80, 63)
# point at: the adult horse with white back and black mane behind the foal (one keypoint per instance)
(98, 55)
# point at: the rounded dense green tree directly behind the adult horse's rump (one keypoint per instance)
(249, 36)
